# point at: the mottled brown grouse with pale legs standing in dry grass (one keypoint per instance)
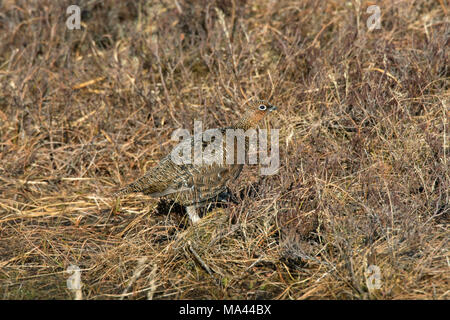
(194, 185)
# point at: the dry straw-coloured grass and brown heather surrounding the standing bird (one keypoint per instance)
(364, 175)
